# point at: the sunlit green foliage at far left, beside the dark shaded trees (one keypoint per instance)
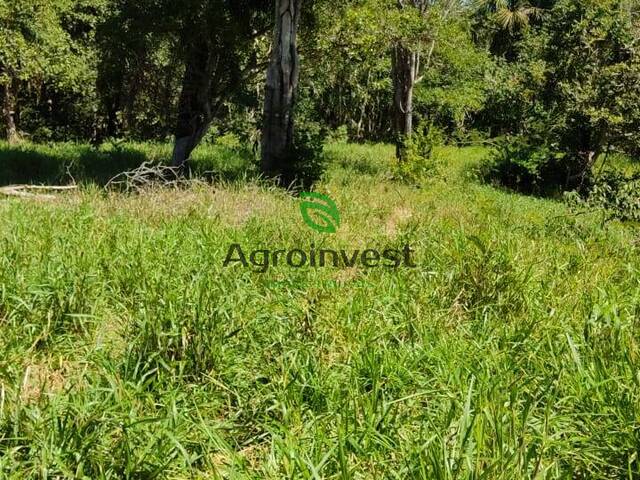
(48, 67)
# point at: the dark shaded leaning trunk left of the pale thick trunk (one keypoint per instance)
(195, 111)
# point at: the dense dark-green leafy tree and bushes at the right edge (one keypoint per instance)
(579, 87)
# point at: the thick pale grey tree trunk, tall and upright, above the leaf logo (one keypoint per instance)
(280, 96)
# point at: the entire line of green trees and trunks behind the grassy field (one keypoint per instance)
(558, 82)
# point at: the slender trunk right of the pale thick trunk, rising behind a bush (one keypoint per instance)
(405, 73)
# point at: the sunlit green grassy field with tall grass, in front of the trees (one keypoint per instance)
(127, 350)
